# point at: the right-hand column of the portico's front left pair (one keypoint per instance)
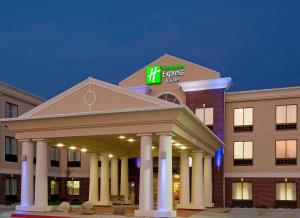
(41, 176)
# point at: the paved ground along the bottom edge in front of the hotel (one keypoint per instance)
(5, 212)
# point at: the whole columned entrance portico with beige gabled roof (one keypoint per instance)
(113, 125)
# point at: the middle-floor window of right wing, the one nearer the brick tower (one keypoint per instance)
(242, 153)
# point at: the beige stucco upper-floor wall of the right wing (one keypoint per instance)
(263, 136)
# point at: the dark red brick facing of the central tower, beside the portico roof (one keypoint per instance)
(212, 98)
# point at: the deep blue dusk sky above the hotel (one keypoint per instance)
(49, 46)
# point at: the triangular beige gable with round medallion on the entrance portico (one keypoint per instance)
(92, 95)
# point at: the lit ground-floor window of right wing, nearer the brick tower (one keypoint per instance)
(242, 191)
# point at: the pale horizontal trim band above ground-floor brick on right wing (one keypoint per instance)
(263, 175)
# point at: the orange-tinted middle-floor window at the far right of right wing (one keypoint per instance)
(286, 152)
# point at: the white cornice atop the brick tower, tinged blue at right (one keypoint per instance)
(219, 83)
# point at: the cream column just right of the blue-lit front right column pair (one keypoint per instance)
(184, 198)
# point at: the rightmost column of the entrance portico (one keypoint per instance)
(207, 184)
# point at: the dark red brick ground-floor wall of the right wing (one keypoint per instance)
(263, 190)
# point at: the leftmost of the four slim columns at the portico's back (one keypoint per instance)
(94, 179)
